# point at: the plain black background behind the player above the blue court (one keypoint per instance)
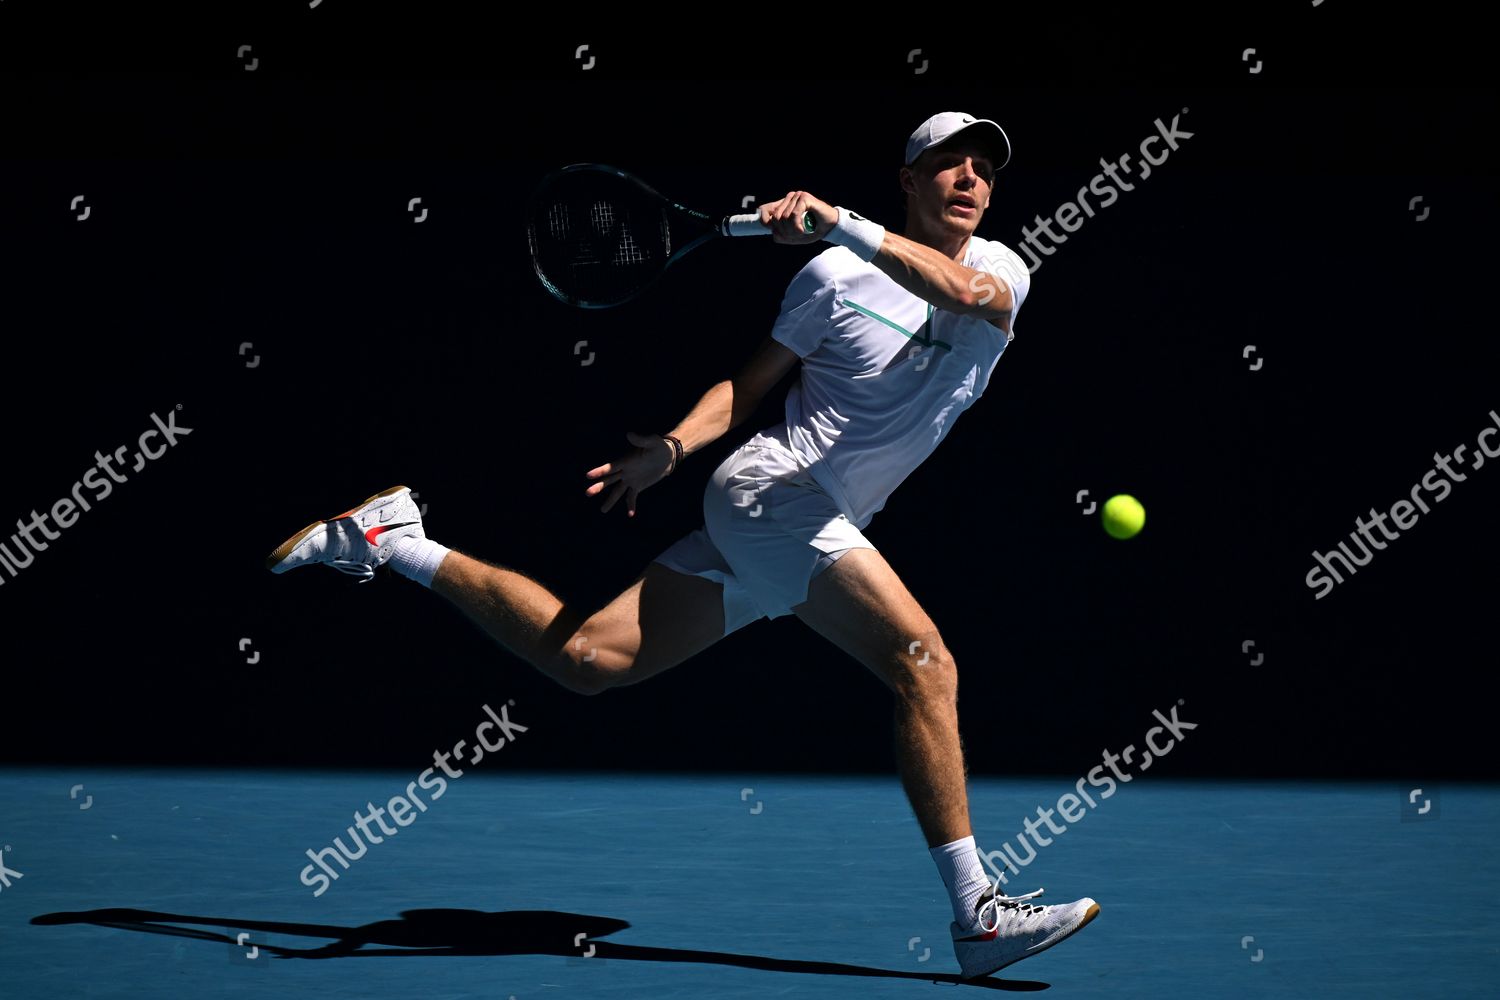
(271, 208)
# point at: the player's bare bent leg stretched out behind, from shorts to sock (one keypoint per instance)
(659, 621)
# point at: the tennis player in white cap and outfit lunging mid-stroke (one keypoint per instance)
(896, 335)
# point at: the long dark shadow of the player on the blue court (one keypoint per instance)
(437, 933)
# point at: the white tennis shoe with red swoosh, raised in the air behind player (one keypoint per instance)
(356, 542)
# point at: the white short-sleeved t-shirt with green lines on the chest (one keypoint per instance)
(884, 374)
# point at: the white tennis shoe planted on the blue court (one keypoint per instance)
(1007, 930)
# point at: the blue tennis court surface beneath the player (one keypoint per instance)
(140, 884)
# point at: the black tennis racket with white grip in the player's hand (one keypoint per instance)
(599, 238)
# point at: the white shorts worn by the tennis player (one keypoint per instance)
(767, 531)
